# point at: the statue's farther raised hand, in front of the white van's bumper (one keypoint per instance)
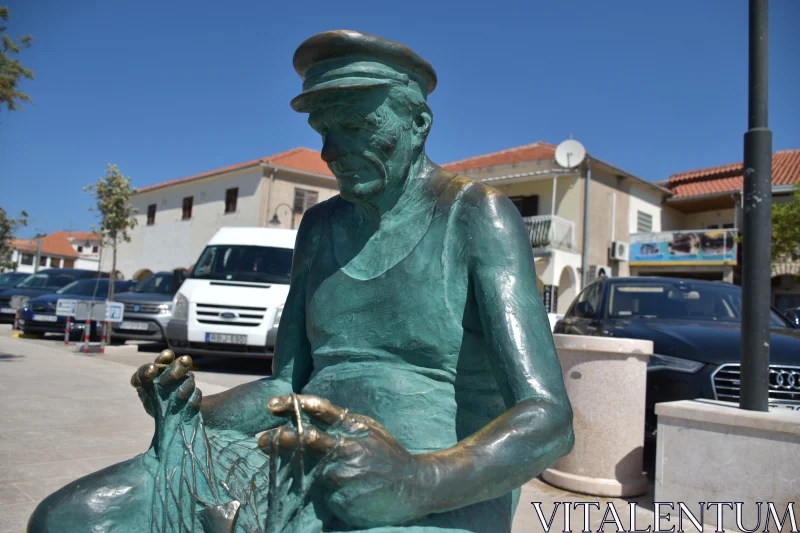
(166, 388)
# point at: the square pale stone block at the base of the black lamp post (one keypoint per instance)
(709, 451)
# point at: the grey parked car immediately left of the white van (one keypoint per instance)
(148, 308)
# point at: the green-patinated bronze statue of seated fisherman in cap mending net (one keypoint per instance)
(415, 382)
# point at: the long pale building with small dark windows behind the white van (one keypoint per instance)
(177, 218)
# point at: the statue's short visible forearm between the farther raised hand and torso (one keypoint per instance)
(244, 408)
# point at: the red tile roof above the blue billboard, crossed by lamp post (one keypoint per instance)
(725, 178)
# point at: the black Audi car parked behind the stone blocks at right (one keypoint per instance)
(695, 329)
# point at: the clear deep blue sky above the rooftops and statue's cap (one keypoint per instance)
(169, 89)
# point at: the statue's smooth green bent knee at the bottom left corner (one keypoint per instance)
(107, 500)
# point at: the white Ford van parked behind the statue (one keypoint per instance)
(231, 302)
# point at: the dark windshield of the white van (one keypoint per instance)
(261, 264)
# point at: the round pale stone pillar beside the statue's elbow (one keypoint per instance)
(605, 380)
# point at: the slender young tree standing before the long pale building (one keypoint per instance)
(112, 195)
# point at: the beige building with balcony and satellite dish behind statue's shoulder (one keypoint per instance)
(551, 201)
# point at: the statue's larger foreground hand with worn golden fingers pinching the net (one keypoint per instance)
(371, 479)
